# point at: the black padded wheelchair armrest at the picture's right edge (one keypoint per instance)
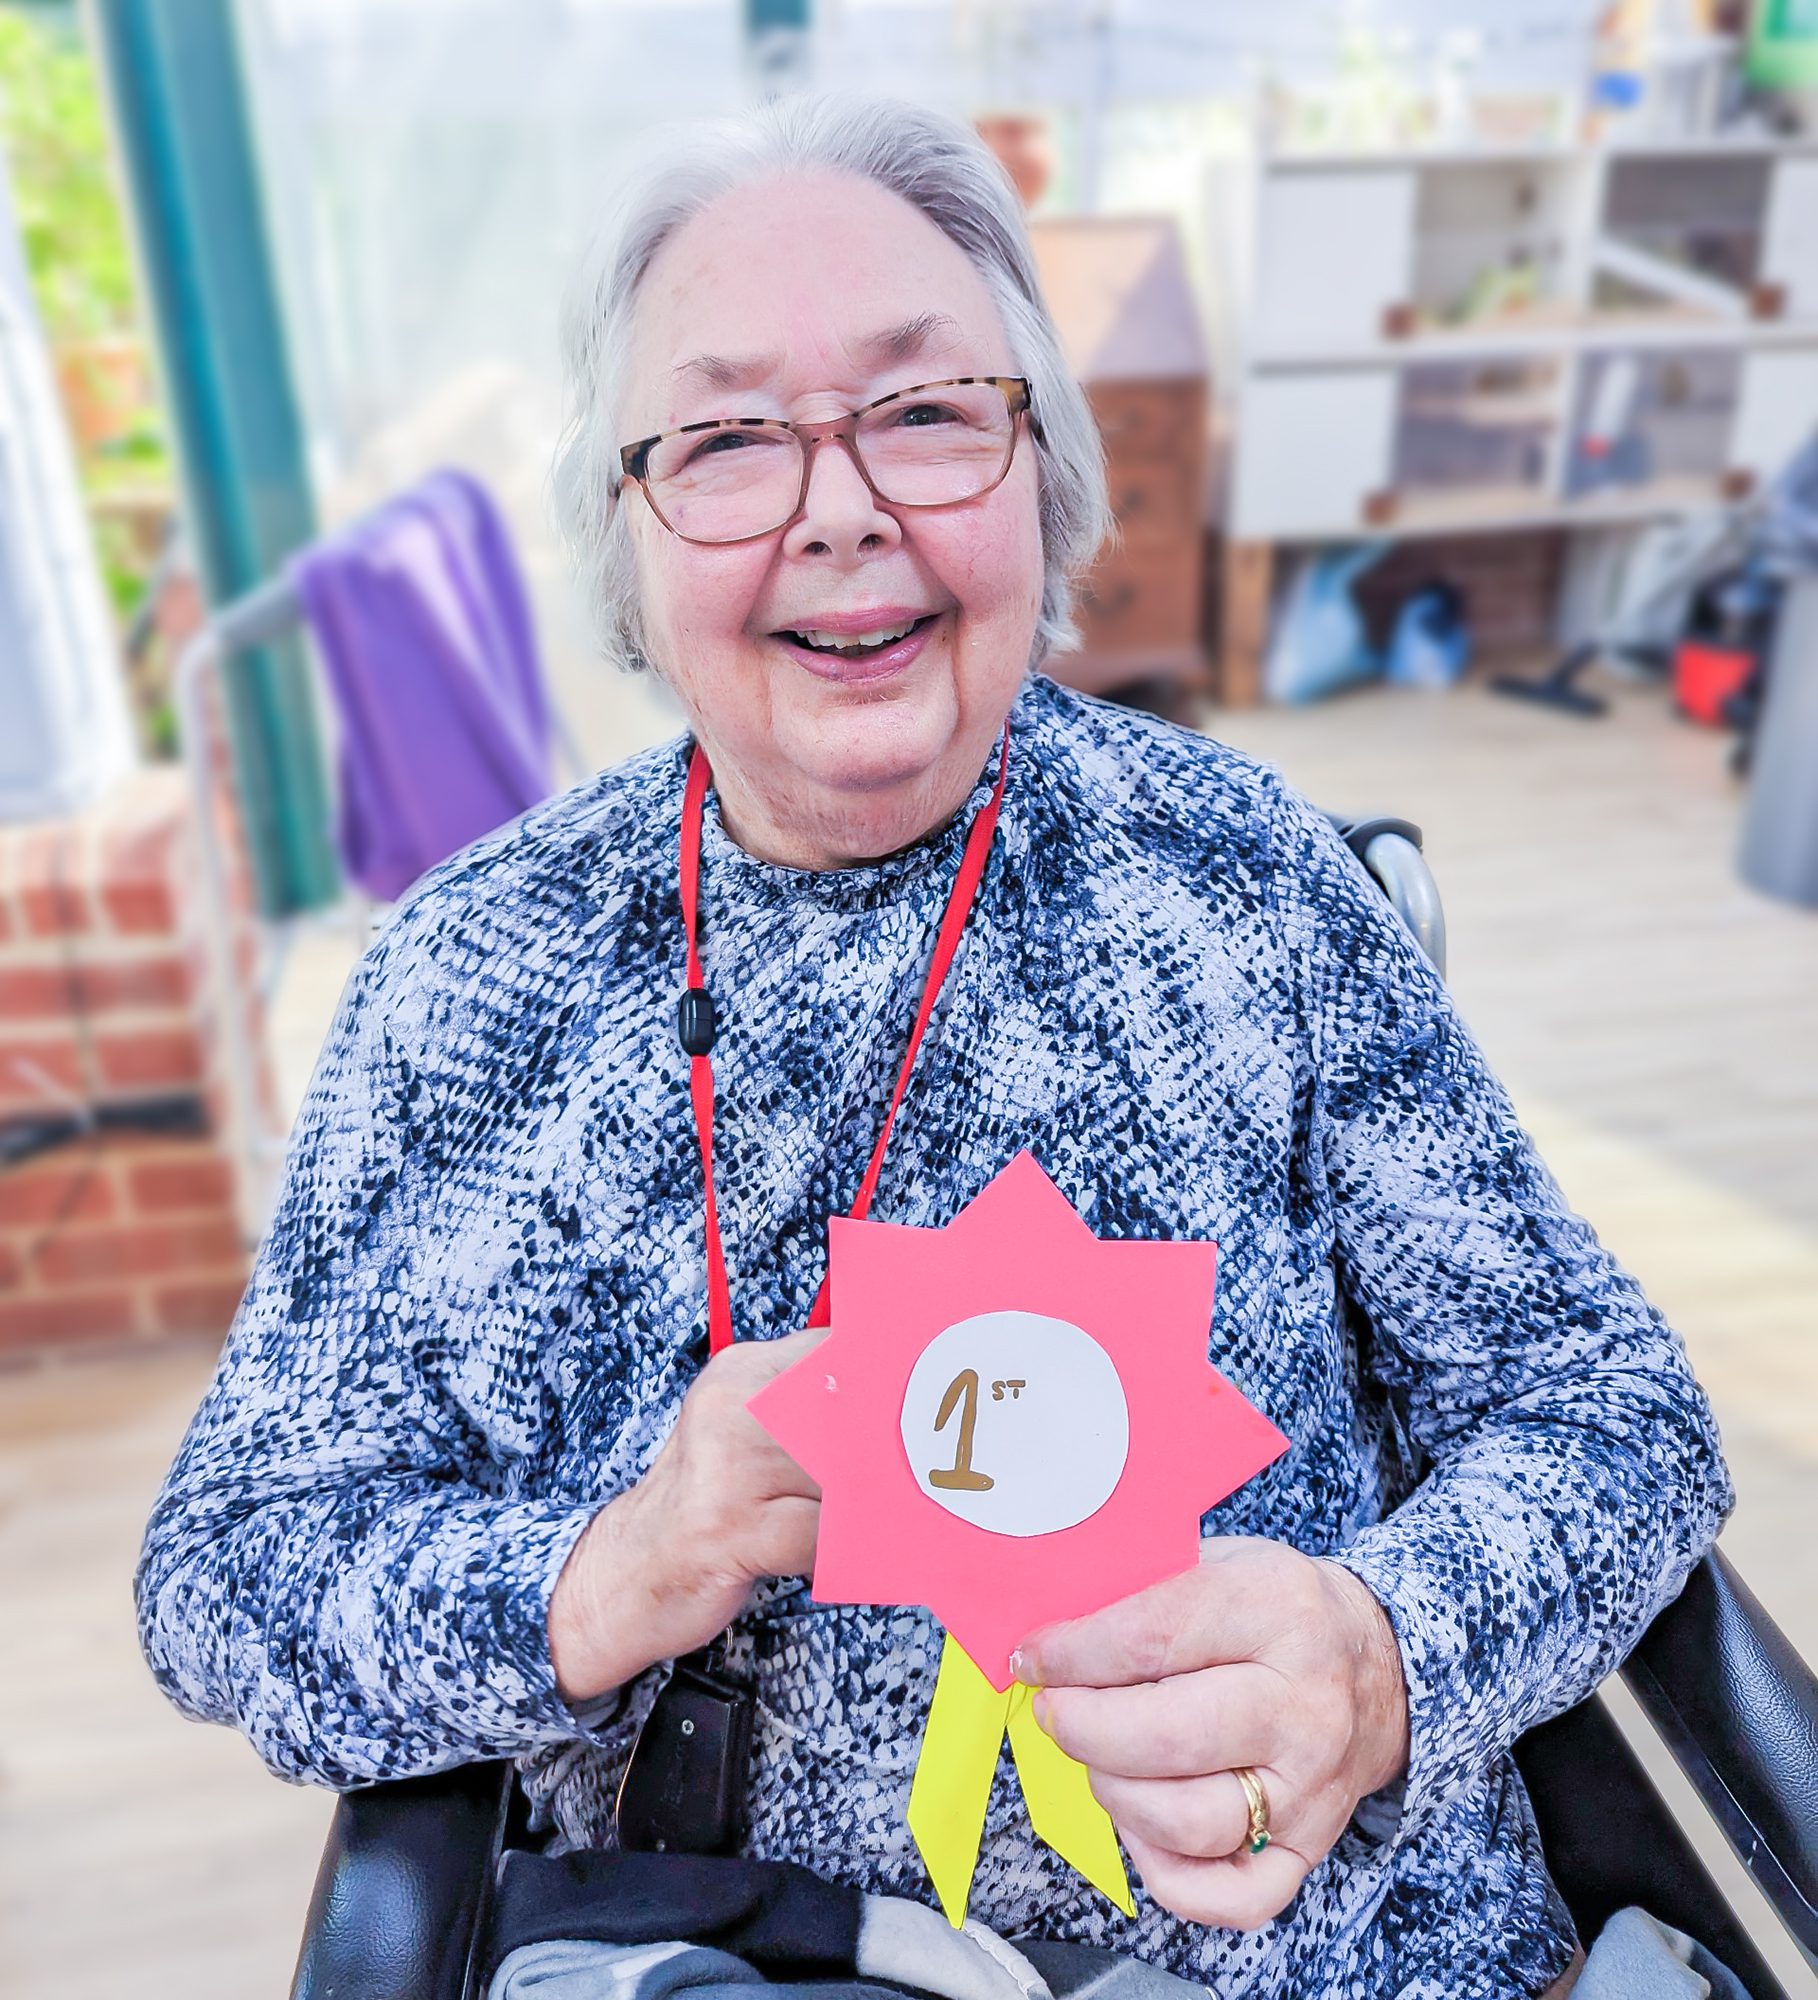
(1739, 1711)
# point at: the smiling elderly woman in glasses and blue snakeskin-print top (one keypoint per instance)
(469, 1475)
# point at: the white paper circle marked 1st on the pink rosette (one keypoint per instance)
(1053, 1447)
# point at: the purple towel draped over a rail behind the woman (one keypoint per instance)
(445, 727)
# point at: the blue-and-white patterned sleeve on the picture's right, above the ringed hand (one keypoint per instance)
(1569, 1469)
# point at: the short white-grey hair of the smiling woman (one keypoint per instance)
(929, 159)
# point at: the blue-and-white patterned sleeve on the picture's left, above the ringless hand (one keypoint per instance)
(335, 1563)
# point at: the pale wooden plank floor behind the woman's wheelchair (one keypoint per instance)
(1655, 1021)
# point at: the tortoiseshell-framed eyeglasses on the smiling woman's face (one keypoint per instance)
(735, 479)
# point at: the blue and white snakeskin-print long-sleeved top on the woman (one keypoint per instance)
(483, 1299)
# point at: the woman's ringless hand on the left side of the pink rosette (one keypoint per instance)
(671, 1563)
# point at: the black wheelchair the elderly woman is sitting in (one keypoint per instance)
(407, 1883)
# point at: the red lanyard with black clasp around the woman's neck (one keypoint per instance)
(697, 1023)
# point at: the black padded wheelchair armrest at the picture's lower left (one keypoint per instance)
(403, 1889)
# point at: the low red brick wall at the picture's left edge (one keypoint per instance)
(105, 997)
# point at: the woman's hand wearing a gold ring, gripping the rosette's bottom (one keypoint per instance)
(1263, 1659)
